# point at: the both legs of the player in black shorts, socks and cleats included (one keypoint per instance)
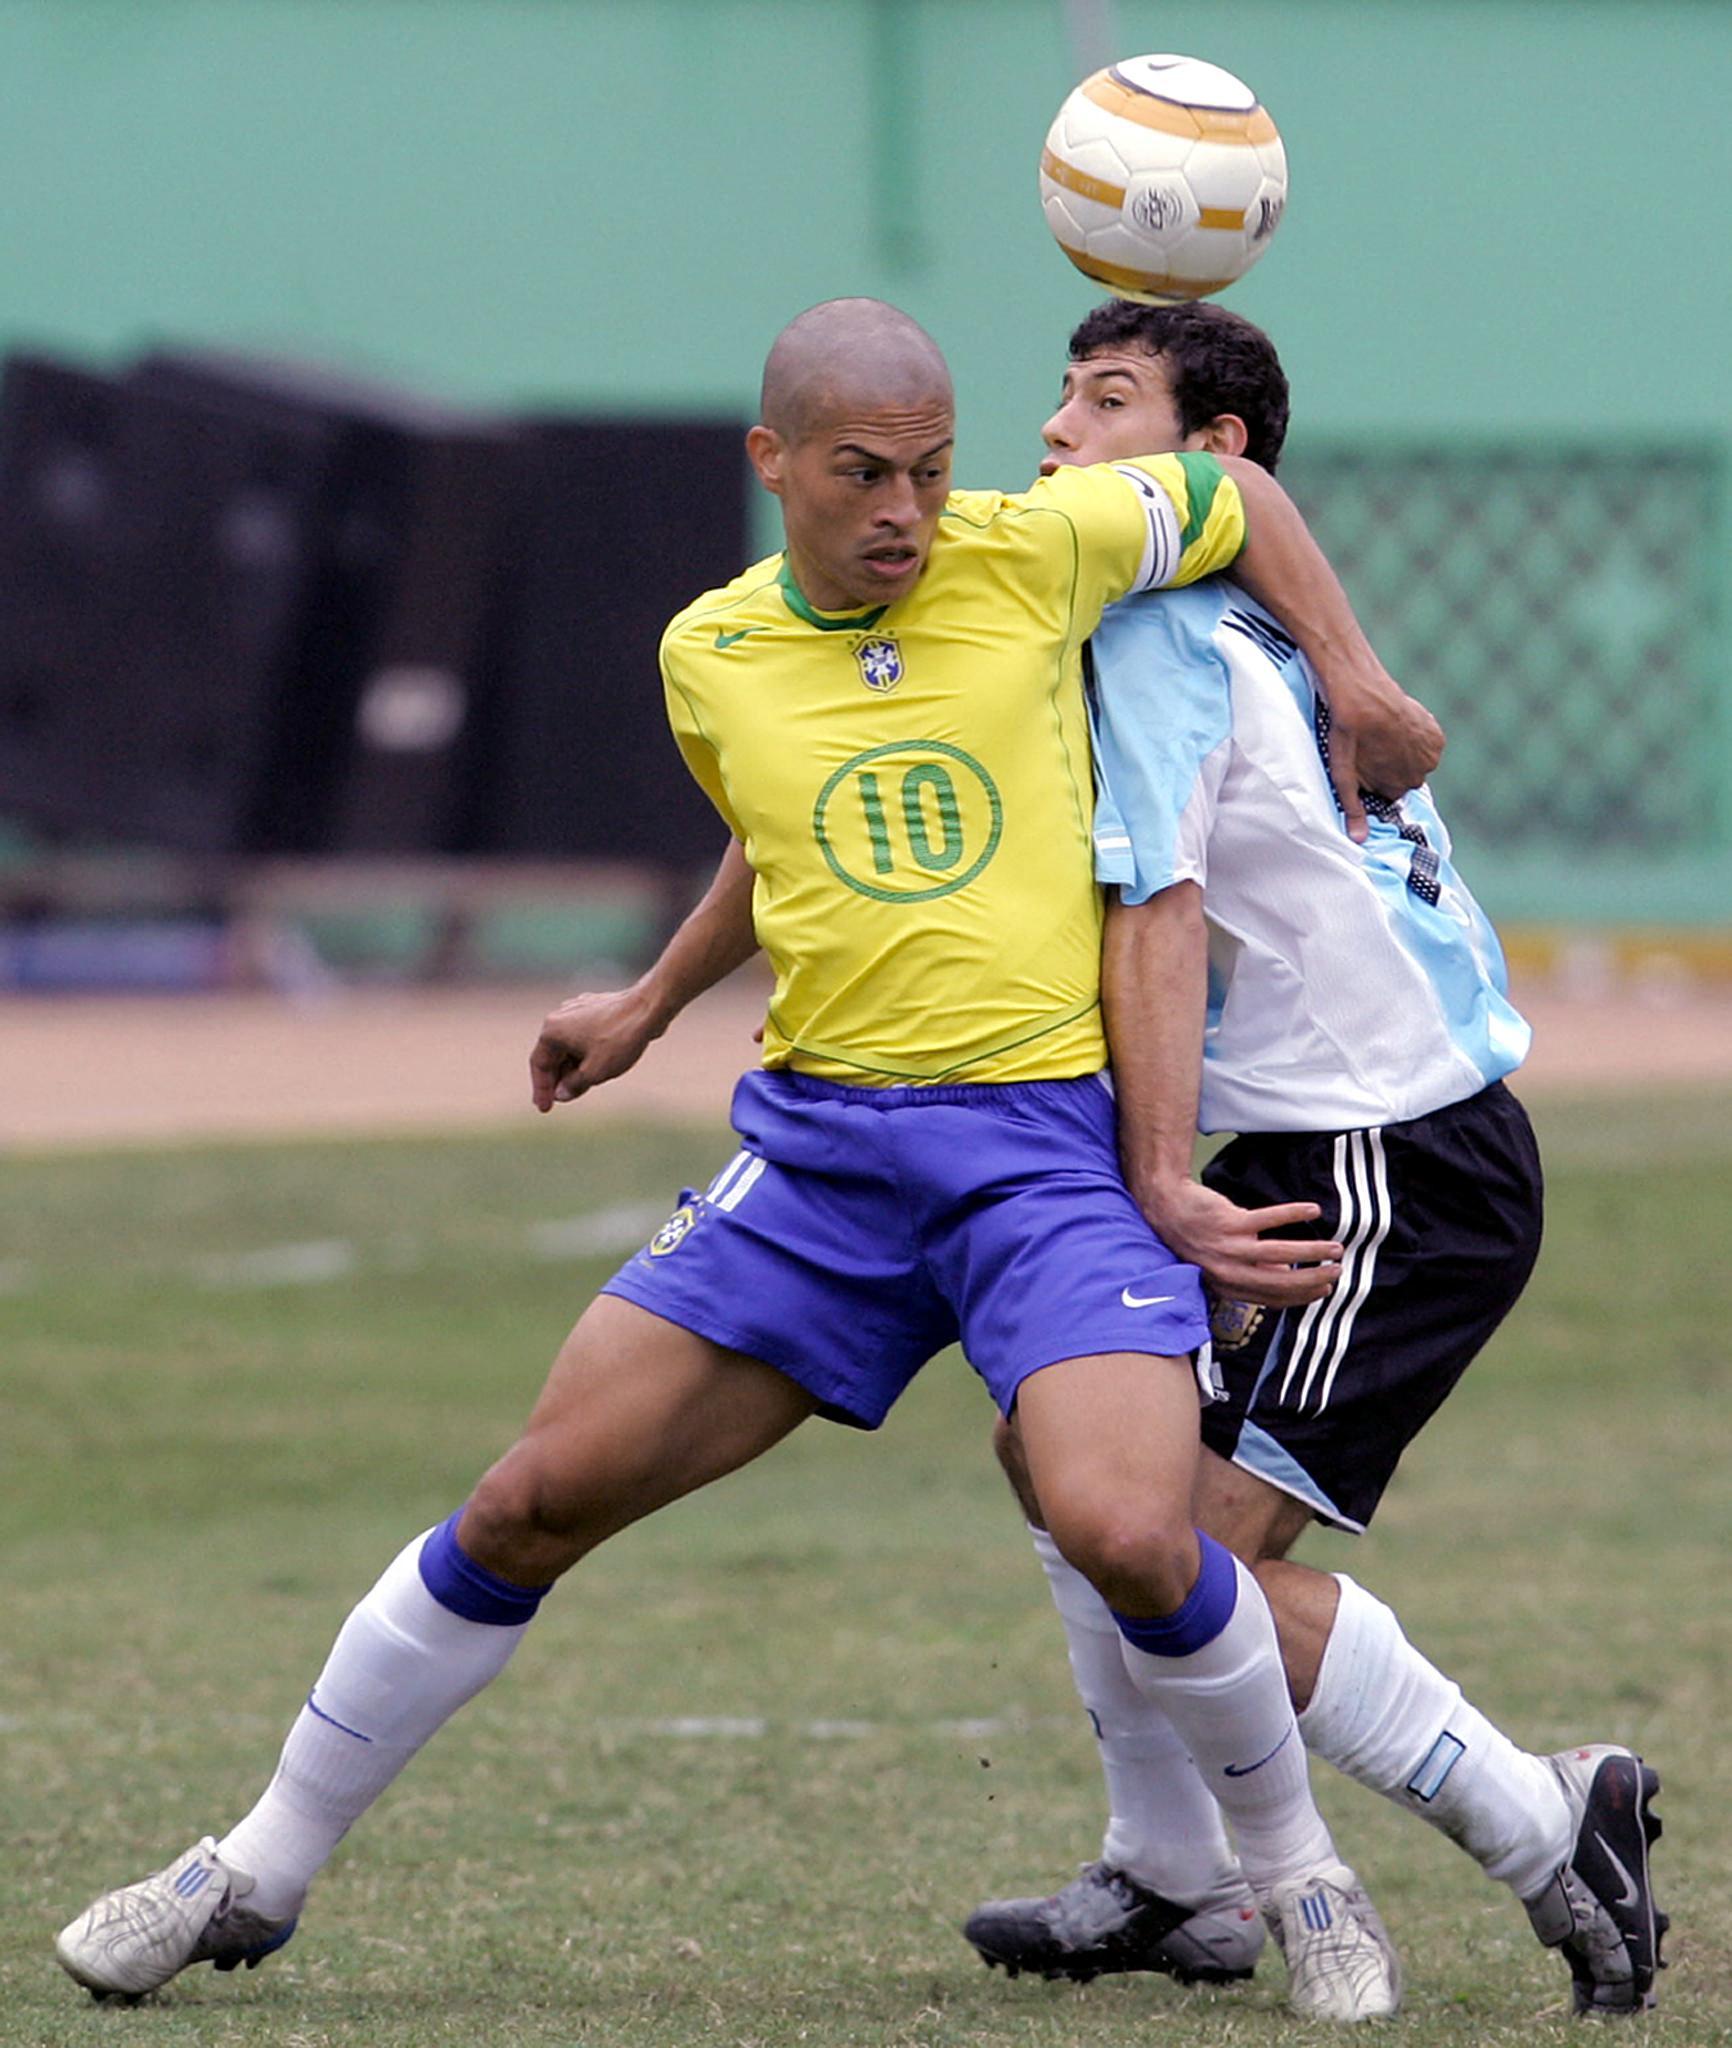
(1381, 1713)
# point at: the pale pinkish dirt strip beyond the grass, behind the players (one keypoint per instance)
(95, 1072)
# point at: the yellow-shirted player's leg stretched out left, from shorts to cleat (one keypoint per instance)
(636, 1414)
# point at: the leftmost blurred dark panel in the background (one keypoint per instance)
(153, 577)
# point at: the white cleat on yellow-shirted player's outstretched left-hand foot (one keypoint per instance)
(134, 1940)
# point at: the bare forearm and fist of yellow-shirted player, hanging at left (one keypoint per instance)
(595, 1039)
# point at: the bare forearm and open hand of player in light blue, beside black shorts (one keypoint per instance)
(1156, 992)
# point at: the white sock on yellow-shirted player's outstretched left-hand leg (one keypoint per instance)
(398, 1670)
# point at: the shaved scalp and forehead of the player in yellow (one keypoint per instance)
(851, 355)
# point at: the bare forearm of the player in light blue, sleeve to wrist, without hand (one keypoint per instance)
(1156, 998)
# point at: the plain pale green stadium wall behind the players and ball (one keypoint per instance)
(1506, 218)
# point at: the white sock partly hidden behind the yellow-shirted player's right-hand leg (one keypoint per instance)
(1164, 1828)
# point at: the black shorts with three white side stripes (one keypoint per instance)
(1440, 1220)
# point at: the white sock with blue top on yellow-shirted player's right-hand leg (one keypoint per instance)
(1229, 1703)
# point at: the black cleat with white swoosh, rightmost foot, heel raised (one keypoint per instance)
(1600, 1910)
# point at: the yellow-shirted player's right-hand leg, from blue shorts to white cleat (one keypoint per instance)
(1111, 1449)
